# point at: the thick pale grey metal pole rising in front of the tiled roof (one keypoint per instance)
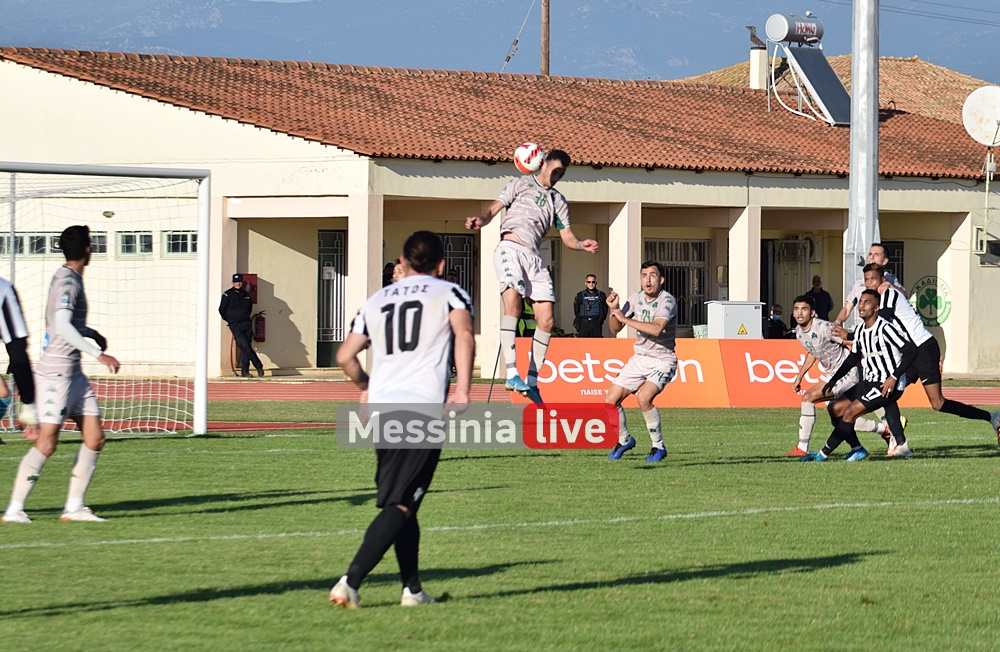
(862, 221)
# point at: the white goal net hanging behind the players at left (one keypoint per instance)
(142, 284)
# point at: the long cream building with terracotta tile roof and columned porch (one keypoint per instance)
(739, 202)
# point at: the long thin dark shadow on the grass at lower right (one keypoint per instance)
(742, 570)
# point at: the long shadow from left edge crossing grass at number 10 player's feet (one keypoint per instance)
(272, 588)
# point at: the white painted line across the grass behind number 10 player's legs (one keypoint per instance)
(527, 524)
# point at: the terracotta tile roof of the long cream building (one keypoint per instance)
(481, 116)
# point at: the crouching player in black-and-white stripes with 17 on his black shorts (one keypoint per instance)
(885, 352)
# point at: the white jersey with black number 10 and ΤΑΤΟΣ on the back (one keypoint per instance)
(409, 329)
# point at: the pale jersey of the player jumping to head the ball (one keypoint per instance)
(531, 211)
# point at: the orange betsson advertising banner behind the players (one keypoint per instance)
(710, 373)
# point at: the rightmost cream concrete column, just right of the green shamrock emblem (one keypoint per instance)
(954, 269)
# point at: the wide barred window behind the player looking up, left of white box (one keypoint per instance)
(686, 264)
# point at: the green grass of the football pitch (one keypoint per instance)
(233, 542)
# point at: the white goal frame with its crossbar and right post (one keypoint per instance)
(203, 179)
